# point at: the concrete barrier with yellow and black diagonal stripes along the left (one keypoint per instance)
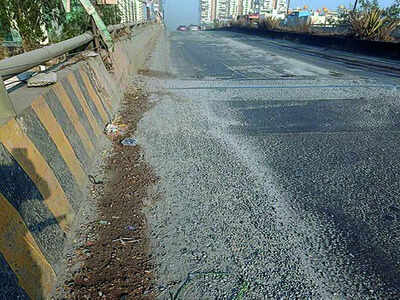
(46, 153)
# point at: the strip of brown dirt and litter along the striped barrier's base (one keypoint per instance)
(115, 260)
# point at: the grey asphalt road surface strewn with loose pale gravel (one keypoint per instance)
(279, 170)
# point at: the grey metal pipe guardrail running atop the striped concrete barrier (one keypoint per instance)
(15, 65)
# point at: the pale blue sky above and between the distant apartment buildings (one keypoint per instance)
(187, 11)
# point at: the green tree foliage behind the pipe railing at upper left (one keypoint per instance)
(33, 19)
